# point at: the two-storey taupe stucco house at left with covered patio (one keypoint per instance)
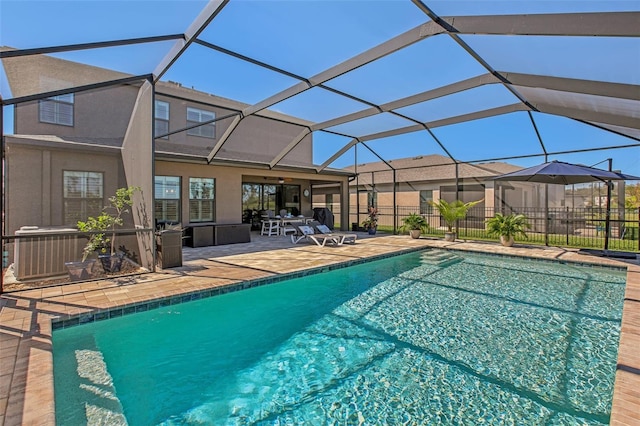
(70, 152)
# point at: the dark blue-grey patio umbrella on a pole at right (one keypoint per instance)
(561, 173)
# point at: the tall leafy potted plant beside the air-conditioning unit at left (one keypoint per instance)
(101, 229)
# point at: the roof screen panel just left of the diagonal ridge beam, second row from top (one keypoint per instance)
(433, 62)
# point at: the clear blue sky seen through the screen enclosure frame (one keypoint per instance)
(307, 37)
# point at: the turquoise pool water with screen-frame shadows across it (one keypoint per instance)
(427, 338)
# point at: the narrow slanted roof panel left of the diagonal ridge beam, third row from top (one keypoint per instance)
(468, 101)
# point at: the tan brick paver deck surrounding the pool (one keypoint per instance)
(26, 362)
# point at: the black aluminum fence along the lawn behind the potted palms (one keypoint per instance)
(566, 227)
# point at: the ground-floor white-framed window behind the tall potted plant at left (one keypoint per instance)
(82, 195)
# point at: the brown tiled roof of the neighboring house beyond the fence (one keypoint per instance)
(427, 168)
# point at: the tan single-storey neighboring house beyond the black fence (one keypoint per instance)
(420, 180)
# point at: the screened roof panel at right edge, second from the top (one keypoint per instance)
(613, 59)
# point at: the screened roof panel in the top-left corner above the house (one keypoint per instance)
(34, 24)
